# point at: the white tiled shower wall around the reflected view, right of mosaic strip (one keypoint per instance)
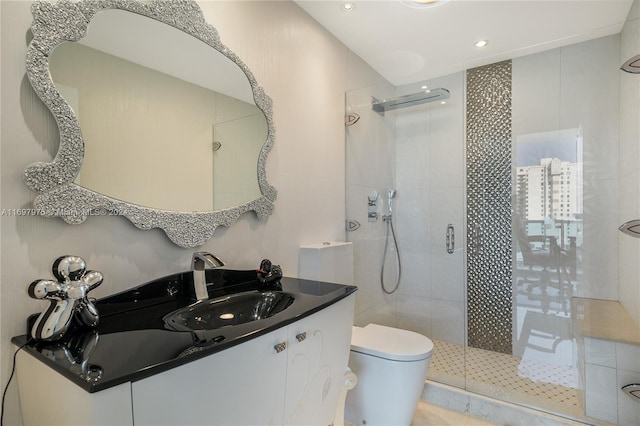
(576, 87)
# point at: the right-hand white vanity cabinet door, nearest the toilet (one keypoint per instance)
(318, 354)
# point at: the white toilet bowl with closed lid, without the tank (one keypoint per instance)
(391, 367)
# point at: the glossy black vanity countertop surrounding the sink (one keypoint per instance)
(132, 342)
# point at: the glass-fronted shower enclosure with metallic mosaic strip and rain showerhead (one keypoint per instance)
(505, 218)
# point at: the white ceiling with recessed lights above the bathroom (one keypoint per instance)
(407, 45)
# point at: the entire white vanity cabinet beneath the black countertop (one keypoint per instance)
(291, 375)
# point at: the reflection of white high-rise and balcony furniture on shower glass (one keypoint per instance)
(547, 234)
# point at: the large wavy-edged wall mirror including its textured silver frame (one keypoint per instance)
(159, 121)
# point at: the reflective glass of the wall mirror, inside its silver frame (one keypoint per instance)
(168, 122)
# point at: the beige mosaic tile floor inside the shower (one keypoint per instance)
(528, 382)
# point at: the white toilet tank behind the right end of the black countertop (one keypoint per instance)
(328, 261)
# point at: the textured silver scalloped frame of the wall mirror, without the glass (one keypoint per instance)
(59, 196)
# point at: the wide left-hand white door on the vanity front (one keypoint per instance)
(243, 385)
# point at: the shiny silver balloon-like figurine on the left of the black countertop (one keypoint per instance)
(69, 298)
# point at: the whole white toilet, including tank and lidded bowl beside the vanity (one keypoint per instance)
(390, 364)
